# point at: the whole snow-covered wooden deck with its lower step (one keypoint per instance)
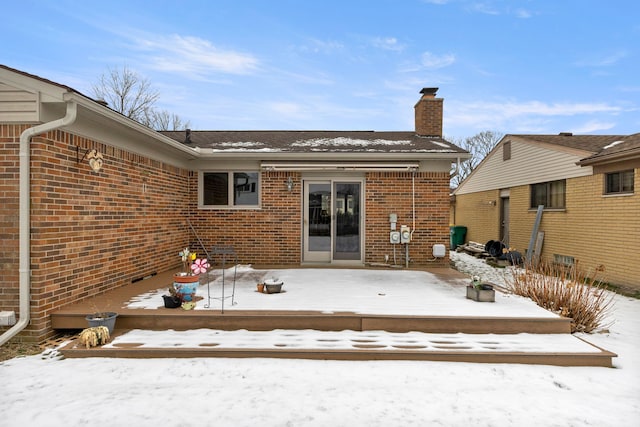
(334, 314)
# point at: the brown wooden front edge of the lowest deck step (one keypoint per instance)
(600, 359)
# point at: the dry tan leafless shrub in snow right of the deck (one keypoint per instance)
(567, 291)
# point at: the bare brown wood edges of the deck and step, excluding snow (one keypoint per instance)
(72, 318)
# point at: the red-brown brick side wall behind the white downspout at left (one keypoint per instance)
(90, 232)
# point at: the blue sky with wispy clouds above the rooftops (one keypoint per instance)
(528, 66)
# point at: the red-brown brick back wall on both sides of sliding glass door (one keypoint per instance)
(272, 234)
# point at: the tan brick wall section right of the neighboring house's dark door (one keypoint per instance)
(595, 230)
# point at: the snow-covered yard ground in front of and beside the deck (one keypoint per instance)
(47, 391)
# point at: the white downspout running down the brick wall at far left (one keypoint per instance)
(25, 216)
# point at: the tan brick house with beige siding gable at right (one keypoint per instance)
(588, 185)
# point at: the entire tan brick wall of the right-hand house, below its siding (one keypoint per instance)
(596, 230)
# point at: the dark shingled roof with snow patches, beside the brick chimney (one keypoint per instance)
(315, 141)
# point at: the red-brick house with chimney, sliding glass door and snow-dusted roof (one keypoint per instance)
(279, 198)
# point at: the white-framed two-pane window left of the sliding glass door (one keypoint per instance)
(229, 189)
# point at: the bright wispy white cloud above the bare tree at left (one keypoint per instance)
(193, 55)
